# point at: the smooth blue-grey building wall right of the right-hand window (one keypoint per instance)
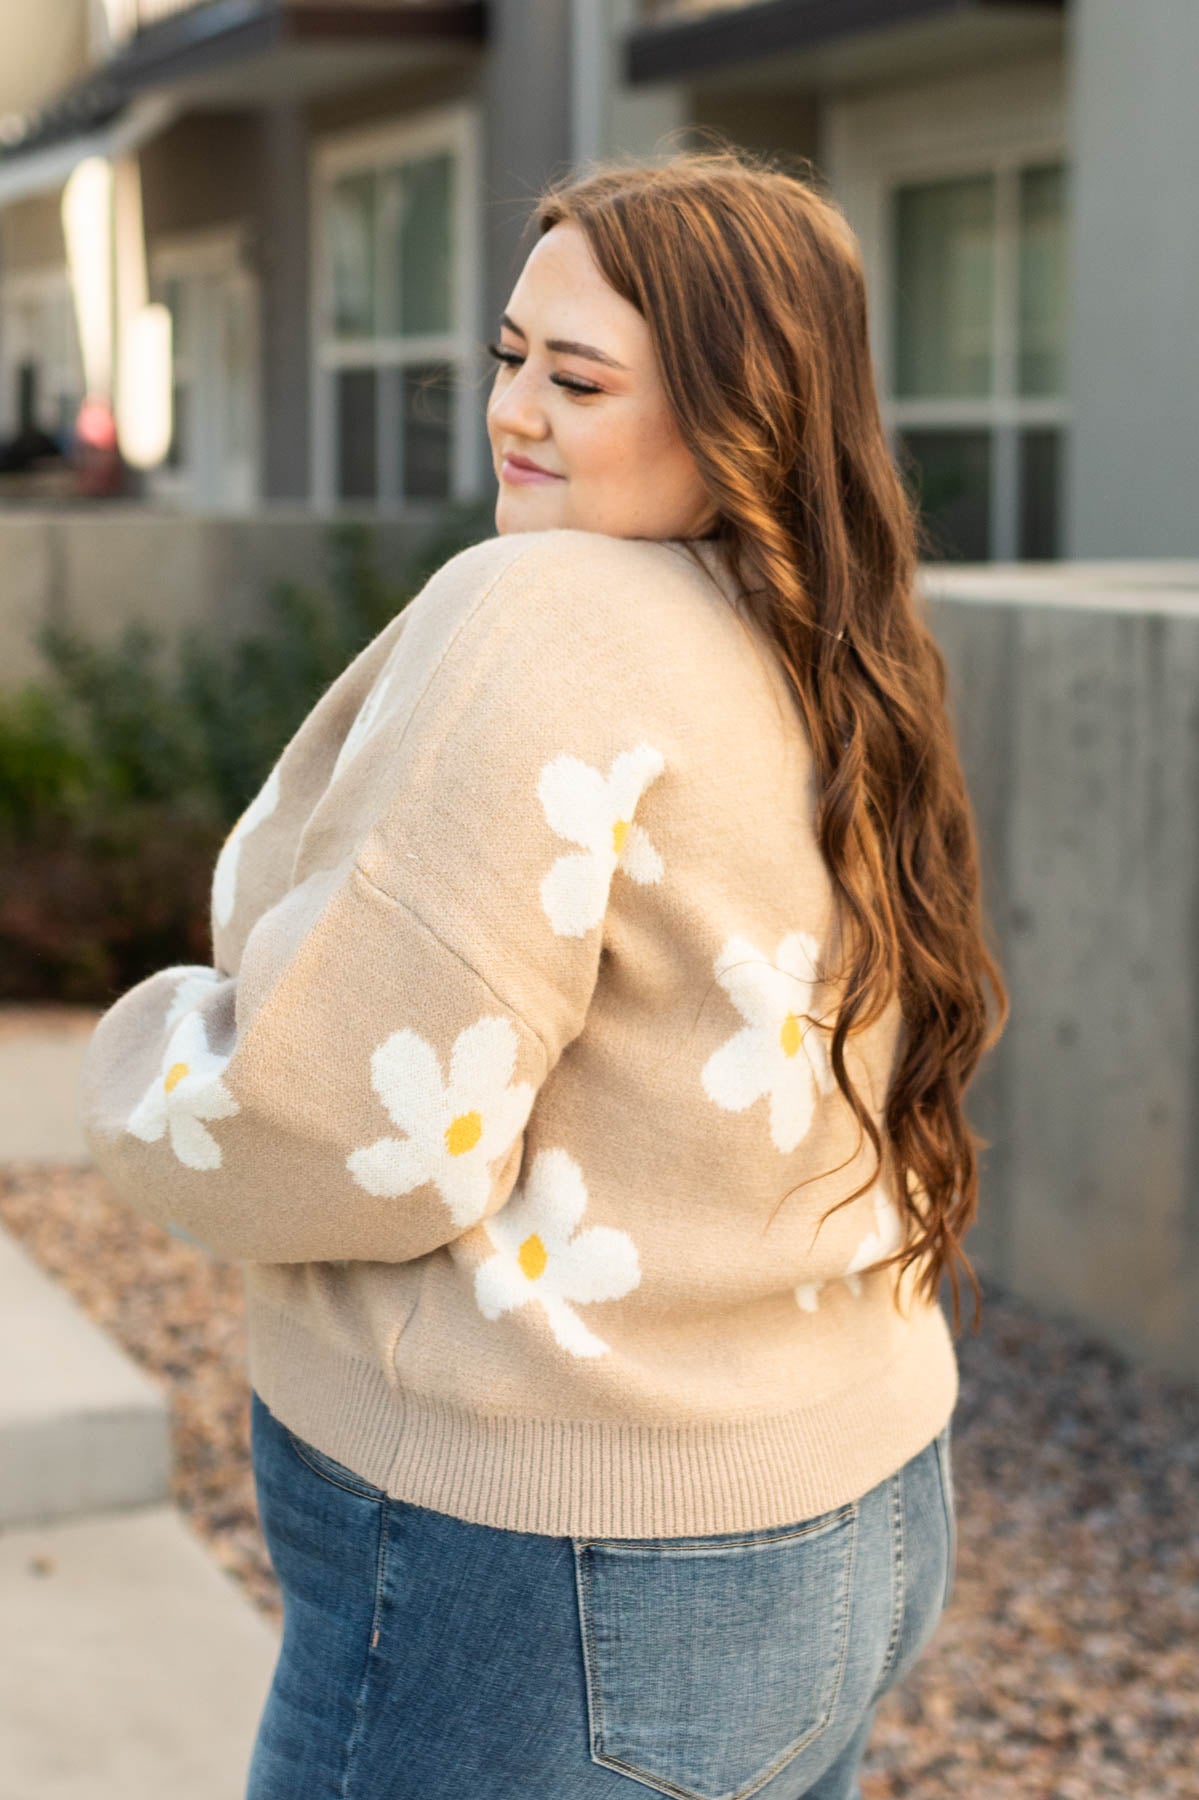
(1135, 339)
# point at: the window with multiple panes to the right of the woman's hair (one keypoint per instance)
(977, 400)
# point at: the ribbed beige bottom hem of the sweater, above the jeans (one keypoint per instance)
(600, 1479)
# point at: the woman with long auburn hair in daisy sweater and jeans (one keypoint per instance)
(602, 1417)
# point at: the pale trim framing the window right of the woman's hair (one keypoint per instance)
(986, 123)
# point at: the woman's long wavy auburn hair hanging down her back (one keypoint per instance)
(752, 283)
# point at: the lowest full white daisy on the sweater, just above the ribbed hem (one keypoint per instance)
(543, 1255)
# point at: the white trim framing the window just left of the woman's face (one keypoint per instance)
(455, 129)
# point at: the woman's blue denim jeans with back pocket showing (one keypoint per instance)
(429, 1659)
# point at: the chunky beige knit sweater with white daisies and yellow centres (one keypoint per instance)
(501, 1070)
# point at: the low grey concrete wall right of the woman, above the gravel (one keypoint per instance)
(1077, 712)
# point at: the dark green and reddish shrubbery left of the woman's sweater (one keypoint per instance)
(123, 771)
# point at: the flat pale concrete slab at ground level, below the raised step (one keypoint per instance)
(131, 1666)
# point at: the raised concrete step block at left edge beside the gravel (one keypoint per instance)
(82, 1426)
